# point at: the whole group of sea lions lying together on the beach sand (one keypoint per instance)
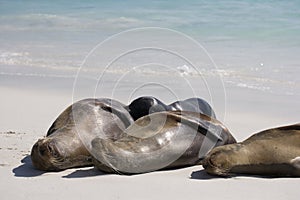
(148, 135)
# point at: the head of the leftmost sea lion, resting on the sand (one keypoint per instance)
(58, 152)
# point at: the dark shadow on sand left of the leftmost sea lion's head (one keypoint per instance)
(26, 169)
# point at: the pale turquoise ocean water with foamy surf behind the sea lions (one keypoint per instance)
(248, 44)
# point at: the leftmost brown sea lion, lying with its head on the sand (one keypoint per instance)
(65, 145)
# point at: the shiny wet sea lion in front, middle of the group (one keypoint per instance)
(160, 140)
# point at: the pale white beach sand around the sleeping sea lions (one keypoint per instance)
(29, 113)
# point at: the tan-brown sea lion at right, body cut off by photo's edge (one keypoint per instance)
(273, 152)
